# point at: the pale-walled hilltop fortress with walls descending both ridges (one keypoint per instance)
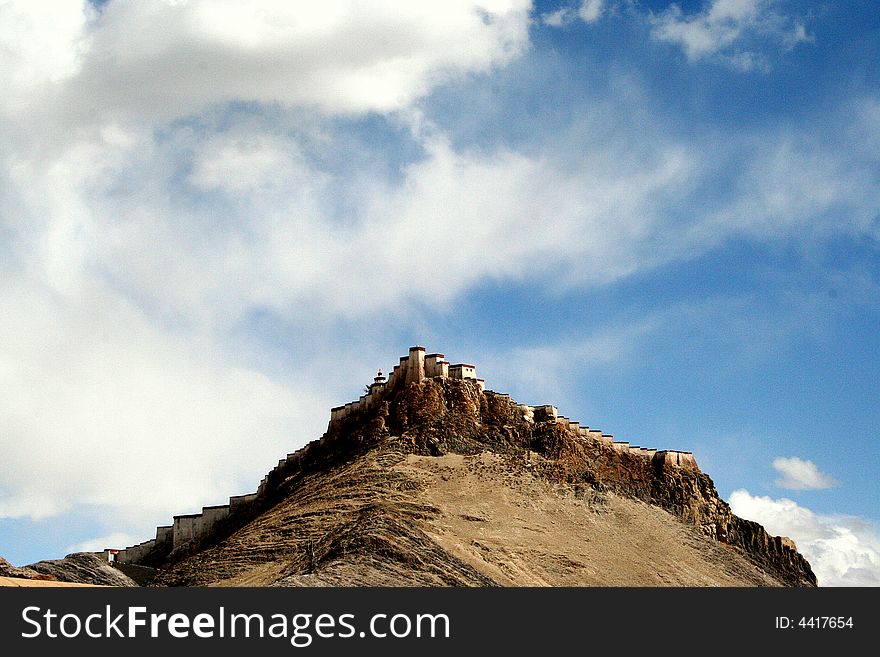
(414, 368)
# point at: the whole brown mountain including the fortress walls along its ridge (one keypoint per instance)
(429, 479)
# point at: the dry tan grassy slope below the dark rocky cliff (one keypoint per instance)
(392, 519)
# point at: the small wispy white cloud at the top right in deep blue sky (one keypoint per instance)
(734, 31)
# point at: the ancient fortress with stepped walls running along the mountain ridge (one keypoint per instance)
(414, 369)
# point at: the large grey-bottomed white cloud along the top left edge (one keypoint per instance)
(161, 59)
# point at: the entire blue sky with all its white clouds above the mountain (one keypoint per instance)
(218, 219)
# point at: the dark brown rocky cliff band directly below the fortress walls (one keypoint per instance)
(440, 416)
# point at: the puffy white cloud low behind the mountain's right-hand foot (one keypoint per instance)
(842, 550)
